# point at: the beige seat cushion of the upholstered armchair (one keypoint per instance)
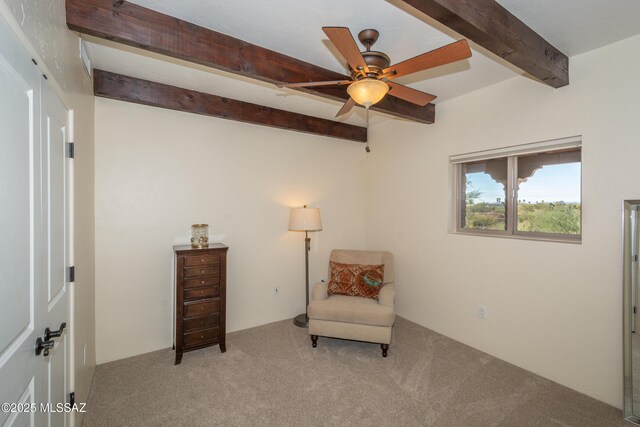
(343, 308)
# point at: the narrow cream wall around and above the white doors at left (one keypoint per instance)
(42, 25)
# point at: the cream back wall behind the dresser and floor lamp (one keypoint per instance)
(159, 171)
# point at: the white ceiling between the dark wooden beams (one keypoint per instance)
(294, 27)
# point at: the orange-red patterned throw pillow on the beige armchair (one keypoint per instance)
(356, 279)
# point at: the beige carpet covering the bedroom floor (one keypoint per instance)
(271, 376)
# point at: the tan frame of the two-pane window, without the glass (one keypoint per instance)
(511, 196)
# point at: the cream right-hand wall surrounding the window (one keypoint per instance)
(554, 308)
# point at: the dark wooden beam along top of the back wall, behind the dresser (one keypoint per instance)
(131, 89)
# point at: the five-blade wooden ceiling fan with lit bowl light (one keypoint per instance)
(371, 72)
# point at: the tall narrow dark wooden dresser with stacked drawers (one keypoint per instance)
(201, 295)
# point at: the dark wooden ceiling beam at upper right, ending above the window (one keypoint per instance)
(493, 27)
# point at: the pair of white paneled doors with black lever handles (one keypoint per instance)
(33, 289)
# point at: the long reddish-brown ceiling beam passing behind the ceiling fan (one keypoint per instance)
(137, 26)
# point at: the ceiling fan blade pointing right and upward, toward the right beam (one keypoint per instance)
(446, 54)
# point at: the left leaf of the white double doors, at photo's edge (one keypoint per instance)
(20, 228)
